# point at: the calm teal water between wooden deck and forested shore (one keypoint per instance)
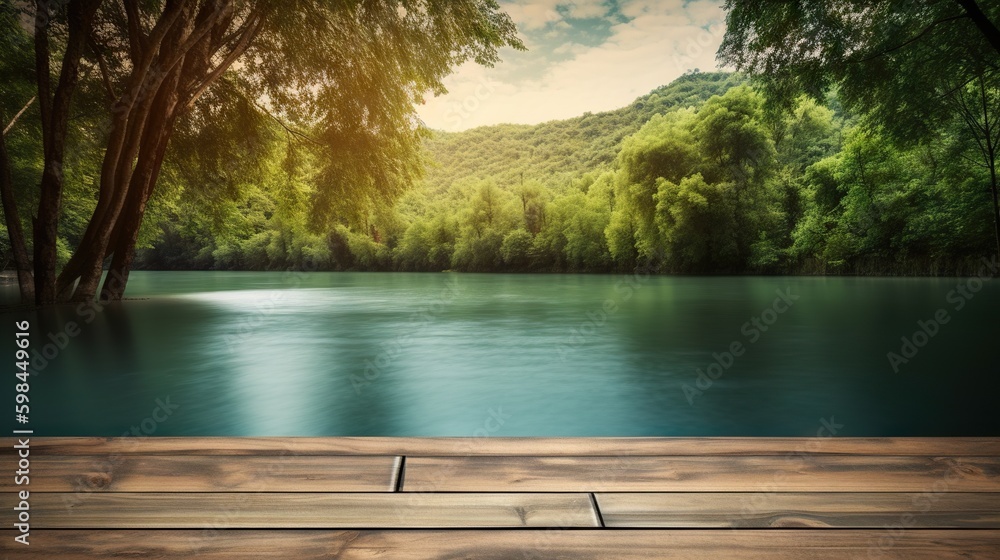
(337, 354)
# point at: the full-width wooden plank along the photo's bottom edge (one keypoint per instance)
(581, 544)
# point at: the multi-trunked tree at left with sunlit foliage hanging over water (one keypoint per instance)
(347, 71)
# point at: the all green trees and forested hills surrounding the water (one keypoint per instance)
(873, 153)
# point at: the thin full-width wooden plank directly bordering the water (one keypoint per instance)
(509, 446)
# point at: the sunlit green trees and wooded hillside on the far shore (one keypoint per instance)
(701, 176)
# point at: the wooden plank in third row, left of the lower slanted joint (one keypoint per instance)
(312, 511)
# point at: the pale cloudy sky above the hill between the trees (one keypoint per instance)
(583, 55)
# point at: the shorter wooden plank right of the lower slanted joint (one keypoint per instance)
(814, 510)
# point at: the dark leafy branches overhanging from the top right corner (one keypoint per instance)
(911, 68)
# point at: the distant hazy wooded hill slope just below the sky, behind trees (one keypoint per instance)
(555, 151)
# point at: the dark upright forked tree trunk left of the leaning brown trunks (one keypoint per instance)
(55, 115)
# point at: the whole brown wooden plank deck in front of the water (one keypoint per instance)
(696, 498)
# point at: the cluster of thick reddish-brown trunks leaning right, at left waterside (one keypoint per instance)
(173, 67)
